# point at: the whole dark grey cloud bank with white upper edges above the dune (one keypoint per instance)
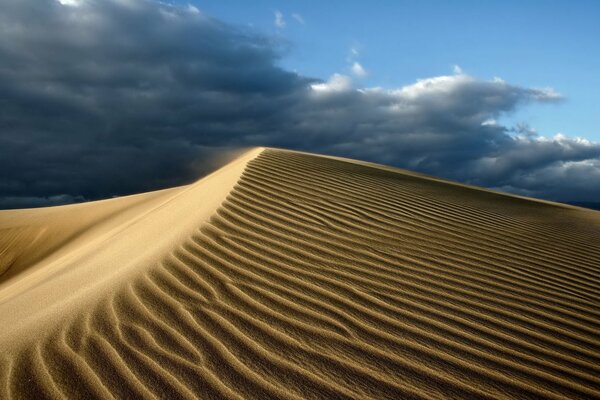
(102, 98)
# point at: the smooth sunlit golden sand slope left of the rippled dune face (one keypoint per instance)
(56, 257)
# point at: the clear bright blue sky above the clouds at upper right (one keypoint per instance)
(530, 43)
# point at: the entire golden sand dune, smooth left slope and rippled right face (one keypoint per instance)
(296, 276)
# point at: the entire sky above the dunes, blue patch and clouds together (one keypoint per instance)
(103, 98)
